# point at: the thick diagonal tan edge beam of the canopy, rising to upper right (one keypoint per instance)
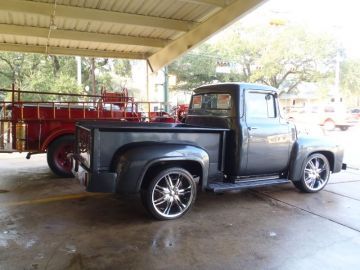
(202, 32)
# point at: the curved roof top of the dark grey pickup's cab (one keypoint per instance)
(224, 87)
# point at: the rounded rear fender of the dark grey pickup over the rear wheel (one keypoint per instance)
(132, 163)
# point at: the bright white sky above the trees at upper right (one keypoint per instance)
(339, 17)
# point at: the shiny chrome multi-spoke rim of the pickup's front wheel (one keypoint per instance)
(316, 173)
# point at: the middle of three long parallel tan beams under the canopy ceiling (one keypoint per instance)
(41, 32)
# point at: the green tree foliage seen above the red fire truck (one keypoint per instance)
(42, 73)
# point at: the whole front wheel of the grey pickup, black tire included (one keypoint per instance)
(315, 176)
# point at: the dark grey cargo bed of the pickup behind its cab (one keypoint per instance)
(116, 135)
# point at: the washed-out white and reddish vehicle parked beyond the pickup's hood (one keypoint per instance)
(328, 116)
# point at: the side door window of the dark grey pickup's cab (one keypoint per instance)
(260, 105)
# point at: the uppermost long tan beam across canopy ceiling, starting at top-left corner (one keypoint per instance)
(91, 14)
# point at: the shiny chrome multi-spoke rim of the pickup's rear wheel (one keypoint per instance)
(172, 195)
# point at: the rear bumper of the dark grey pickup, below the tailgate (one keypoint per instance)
(93, 181)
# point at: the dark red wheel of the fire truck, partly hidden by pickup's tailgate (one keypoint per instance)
(57, 155)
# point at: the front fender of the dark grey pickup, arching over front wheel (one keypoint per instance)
(307, 145)
